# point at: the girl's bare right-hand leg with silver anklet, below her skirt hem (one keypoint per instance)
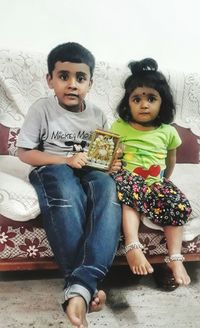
(173, 236)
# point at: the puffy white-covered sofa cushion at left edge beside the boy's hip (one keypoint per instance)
(18, 199)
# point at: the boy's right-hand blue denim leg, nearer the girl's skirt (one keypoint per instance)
(103, 229)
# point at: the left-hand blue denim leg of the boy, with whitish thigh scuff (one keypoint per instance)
(63, 206)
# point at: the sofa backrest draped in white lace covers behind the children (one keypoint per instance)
(23, 81)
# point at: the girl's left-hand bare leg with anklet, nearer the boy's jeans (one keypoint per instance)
(135, 256)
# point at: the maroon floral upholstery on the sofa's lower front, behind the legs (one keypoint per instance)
(28, 242)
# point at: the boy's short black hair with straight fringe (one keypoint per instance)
(72, 52)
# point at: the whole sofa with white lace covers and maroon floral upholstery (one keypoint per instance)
(23, 243)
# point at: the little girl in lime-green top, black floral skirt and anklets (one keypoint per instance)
(150, 143)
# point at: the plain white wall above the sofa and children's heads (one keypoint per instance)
(114, 30)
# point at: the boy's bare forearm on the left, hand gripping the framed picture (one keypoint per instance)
(36, 157)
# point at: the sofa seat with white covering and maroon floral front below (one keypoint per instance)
(23, 239)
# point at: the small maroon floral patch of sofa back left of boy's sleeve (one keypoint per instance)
(8, 137)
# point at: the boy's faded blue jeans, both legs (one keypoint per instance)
(82, 220)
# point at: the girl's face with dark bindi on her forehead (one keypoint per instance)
(144, 105)
